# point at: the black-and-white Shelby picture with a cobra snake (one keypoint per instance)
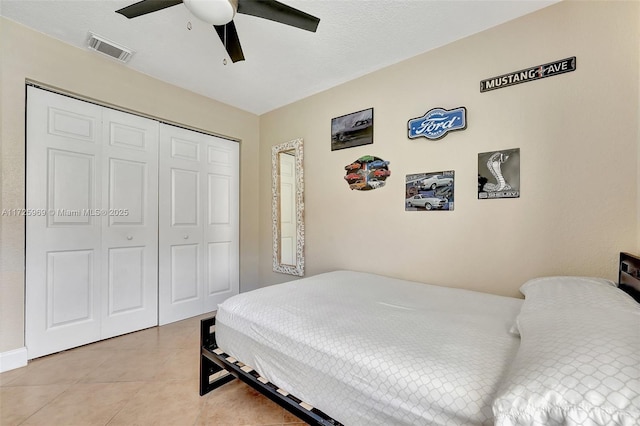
(499, 174)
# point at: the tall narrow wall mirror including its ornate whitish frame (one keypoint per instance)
(287, 207)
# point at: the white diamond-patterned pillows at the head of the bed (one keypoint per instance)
(579, 357)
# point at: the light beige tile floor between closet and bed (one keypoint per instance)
(149, 377)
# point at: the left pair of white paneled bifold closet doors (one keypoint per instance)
(91, 223)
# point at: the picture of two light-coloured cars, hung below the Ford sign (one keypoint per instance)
(429, 191)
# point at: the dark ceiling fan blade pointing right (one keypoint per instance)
(279, 12)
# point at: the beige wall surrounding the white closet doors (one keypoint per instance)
(25, 54)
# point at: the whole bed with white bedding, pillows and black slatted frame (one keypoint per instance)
(355, 348)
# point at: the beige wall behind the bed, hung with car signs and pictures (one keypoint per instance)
(578, 136)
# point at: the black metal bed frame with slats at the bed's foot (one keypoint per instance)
(217, 368)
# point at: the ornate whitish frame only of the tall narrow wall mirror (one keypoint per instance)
(297, 266)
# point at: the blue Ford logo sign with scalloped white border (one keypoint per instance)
(436, 123)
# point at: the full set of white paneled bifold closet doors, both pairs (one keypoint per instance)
(102, 209)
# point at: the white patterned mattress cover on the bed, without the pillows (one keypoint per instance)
(368, 350)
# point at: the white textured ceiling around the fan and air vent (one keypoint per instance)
(283, 64)
